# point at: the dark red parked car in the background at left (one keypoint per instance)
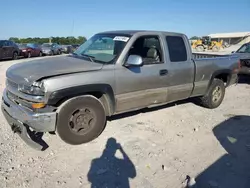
(30, 50)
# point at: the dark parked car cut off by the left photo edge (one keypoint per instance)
(8, 50)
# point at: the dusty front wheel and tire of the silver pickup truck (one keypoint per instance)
(81, 120)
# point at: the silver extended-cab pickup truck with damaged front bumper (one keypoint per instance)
(113, 72)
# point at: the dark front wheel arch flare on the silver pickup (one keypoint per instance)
(103, 92)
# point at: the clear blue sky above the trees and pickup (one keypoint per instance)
(45, 18)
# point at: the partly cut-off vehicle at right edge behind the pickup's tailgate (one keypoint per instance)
(244, 54)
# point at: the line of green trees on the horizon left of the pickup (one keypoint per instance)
(58, 40)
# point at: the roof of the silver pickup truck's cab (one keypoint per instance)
(132, 32)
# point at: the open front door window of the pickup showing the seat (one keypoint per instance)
(149, 48)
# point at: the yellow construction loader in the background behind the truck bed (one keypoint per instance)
(205, 43)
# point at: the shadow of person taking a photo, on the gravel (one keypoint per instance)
(110, 171)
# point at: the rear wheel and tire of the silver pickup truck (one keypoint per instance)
(213, 99)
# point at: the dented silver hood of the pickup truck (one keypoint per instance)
(31, 71)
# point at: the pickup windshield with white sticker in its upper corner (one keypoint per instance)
(104, 48)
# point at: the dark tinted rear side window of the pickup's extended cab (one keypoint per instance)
(176, 48)
